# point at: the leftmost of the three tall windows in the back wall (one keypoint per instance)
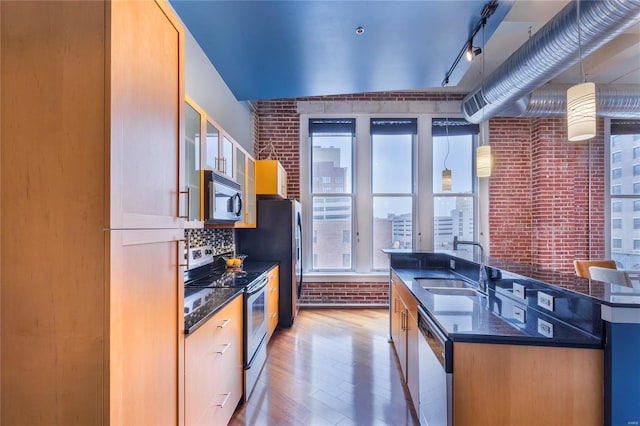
(331, 142)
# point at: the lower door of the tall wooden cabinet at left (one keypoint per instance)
(144, 318)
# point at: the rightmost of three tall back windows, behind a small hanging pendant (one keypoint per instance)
(453, 142)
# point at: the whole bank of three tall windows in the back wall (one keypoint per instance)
(364, 194)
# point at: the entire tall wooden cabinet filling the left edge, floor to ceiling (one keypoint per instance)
(91, 291)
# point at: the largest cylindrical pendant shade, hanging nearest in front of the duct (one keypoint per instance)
(581, 112)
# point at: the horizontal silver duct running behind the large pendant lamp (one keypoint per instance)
(614, 101)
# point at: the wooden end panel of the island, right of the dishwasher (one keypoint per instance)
(527, 385)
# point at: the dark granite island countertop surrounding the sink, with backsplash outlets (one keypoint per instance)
(488, 319)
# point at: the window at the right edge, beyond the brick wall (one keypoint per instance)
(623, 198)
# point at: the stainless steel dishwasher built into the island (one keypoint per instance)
(435, 371)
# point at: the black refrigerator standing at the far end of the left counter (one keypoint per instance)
(278, 237)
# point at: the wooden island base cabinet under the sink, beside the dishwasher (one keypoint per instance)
(404, 333)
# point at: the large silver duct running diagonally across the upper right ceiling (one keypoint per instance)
(549, 52)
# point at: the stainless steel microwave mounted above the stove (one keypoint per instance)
(223, 198)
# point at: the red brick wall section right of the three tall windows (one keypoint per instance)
(539, 193)
